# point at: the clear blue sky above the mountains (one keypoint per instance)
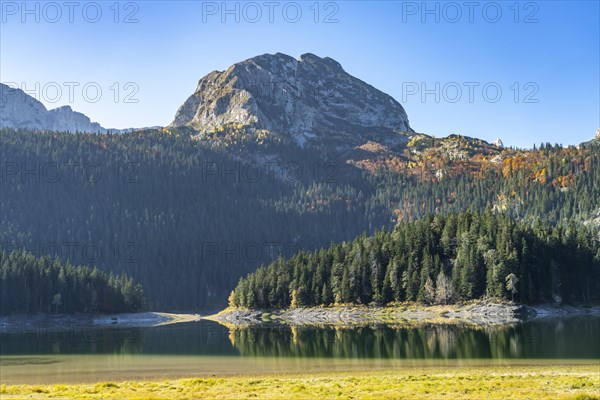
(550, 49)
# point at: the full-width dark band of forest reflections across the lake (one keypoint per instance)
(568, 338)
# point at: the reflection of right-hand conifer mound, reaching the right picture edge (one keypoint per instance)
(532, 340)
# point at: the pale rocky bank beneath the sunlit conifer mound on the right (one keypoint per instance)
(481, 313)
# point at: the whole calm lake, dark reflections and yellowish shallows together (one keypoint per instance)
(76, 354)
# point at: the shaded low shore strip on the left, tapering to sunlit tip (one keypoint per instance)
(31, 323)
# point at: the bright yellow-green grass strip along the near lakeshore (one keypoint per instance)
(502, 382)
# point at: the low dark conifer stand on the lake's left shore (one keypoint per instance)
(30, 284)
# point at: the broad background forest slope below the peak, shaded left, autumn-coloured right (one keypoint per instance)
(187, 218)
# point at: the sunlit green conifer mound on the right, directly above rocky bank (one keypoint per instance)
(440, 260)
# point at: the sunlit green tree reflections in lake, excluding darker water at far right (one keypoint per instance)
(427, 341)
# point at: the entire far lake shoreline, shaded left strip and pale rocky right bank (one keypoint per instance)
(481, 313)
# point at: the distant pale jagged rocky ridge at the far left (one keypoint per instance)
(19, 110)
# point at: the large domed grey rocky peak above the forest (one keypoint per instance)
(307, 99)
